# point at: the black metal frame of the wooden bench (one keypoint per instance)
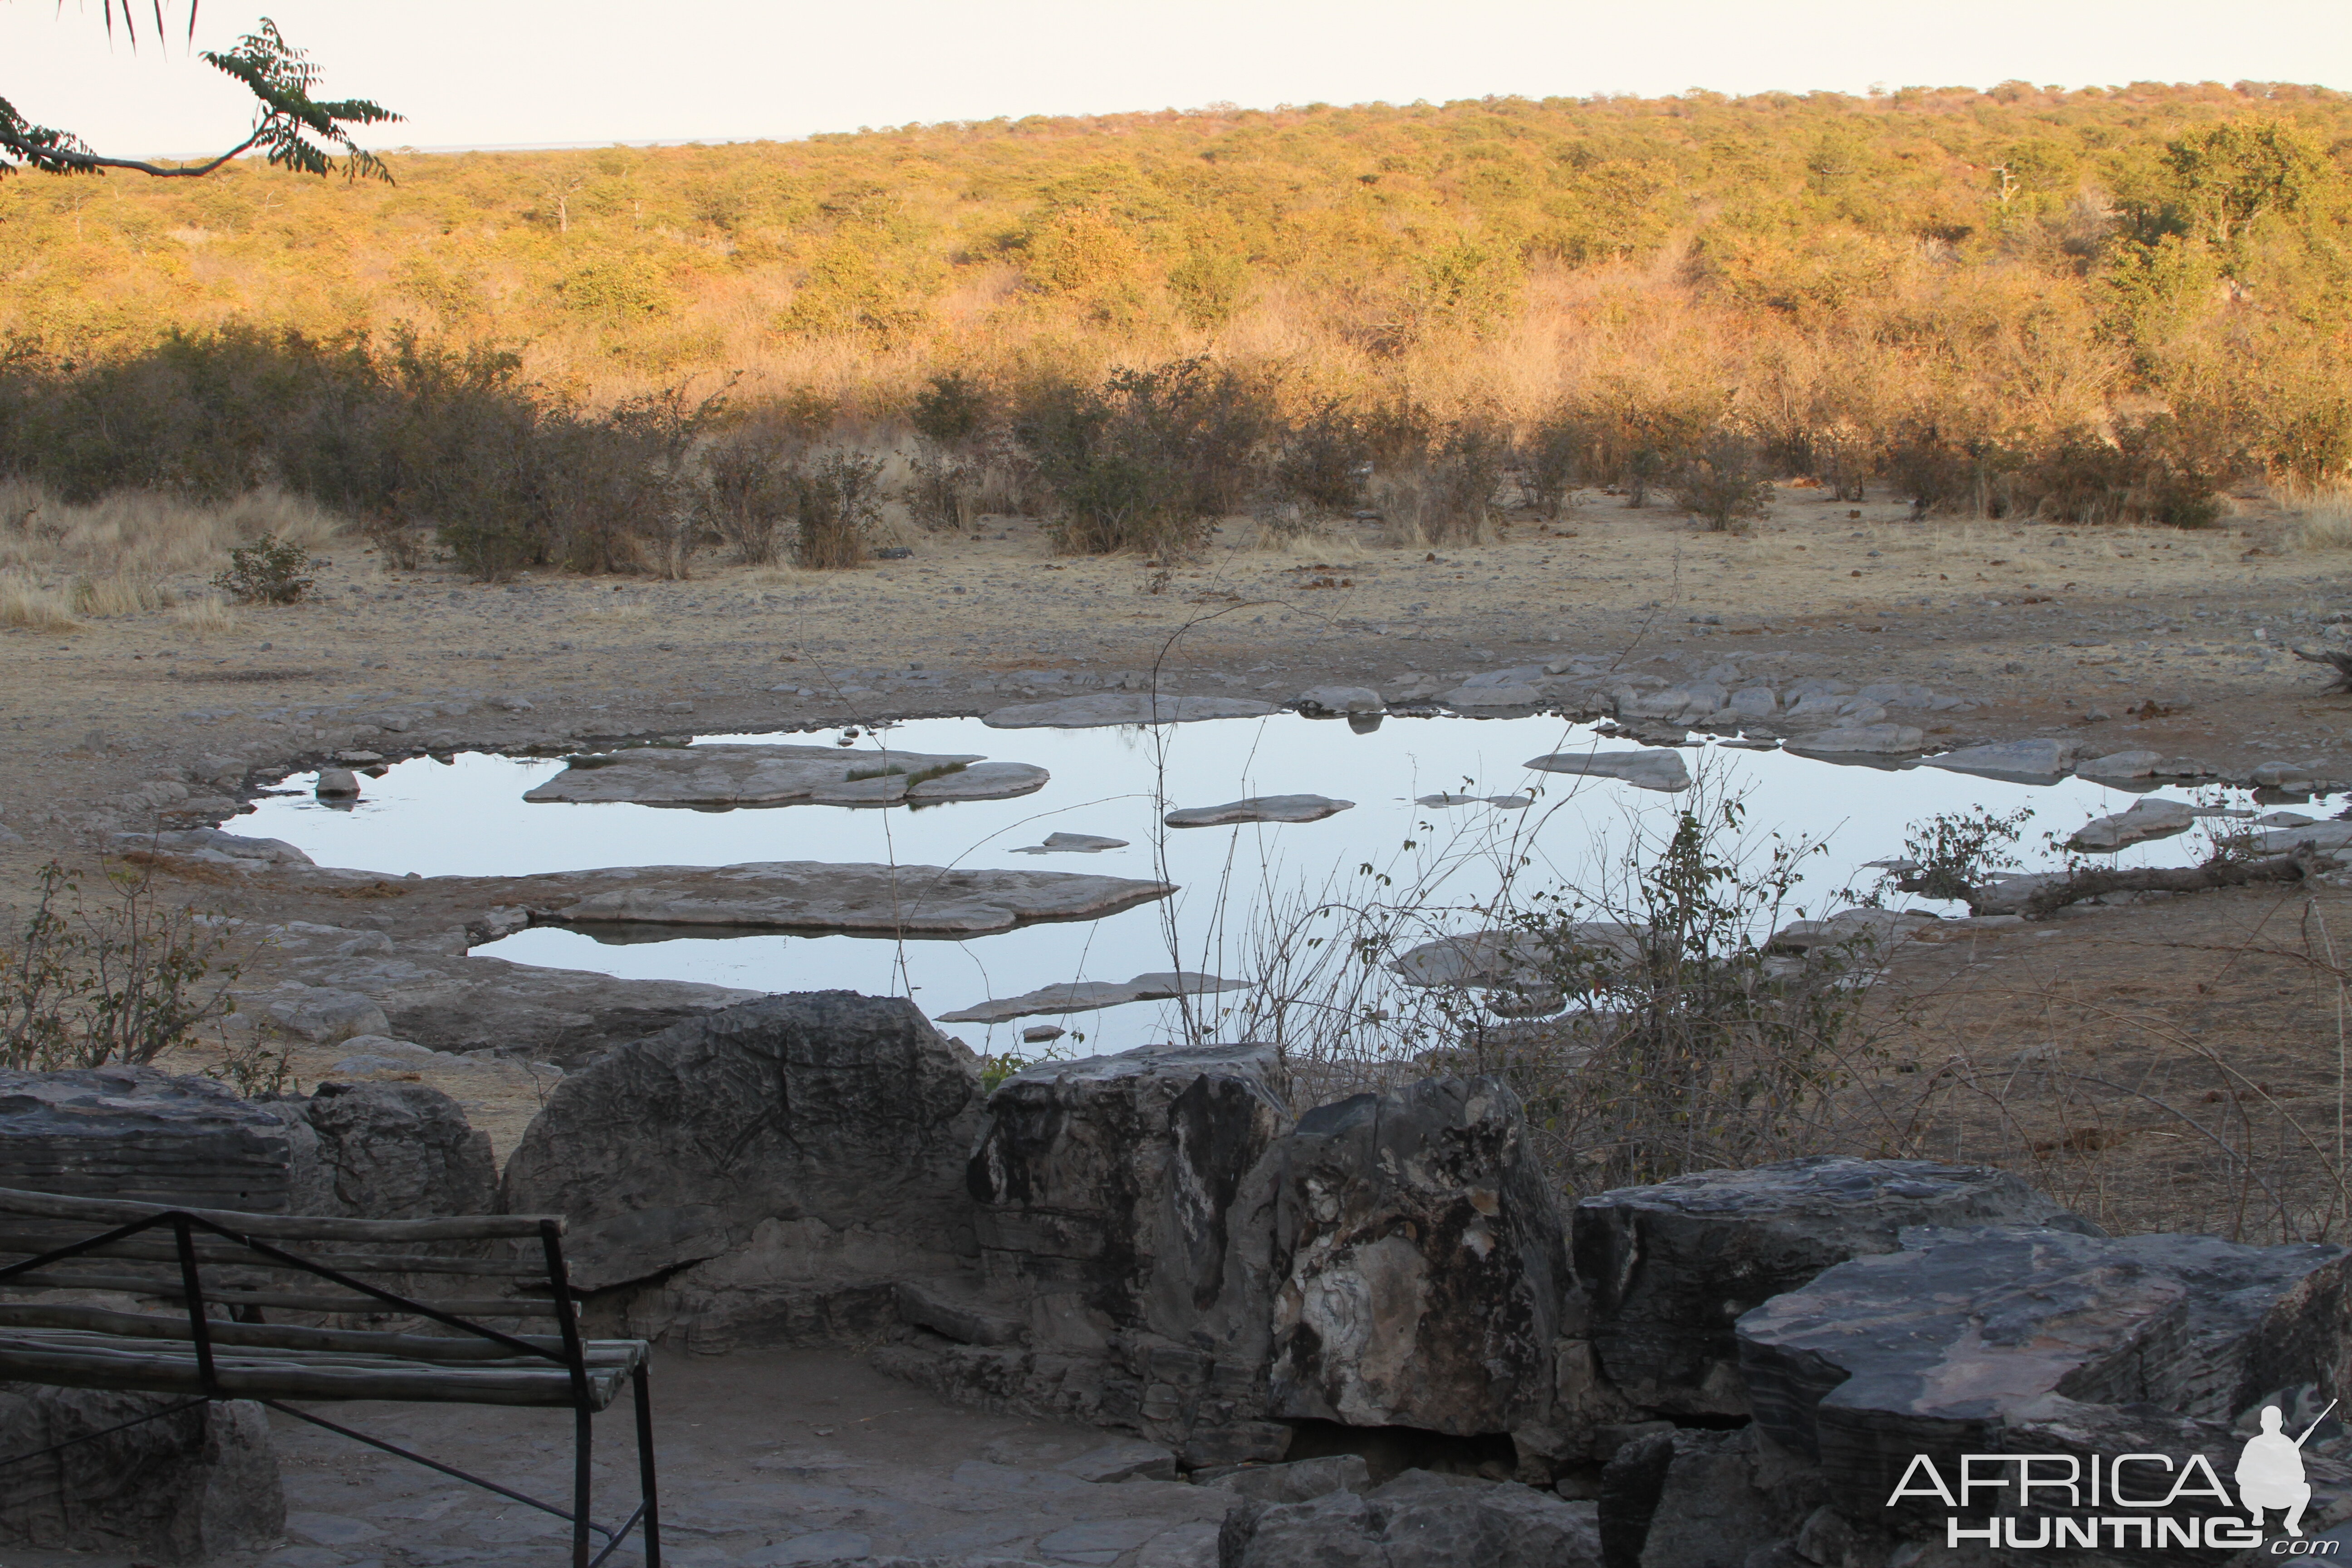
(573, 1358)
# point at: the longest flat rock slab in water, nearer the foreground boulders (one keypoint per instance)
(857, 899)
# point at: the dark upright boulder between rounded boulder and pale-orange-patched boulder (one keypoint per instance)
(1125, 1219)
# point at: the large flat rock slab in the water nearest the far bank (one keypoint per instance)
(780, 777)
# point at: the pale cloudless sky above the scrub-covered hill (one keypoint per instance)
(596, 72)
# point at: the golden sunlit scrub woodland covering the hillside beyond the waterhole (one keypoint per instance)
(2090, 304)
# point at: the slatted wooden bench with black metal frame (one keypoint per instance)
(408, 1311)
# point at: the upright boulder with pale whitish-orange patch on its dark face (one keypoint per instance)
(1424, 1264)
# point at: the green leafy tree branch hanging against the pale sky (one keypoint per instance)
(293, 130)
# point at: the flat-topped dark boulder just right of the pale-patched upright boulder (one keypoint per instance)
(1669, 1268)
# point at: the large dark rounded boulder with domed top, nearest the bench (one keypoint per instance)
(766, 1172)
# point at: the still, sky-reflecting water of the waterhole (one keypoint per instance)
(467, 817)
